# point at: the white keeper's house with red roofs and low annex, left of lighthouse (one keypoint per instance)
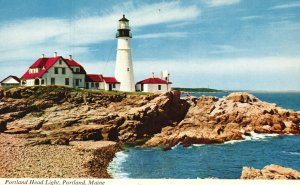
(57, 70)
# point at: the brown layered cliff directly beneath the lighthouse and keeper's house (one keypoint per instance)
(57, 115)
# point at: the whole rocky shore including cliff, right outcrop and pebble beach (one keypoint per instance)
(42, 127)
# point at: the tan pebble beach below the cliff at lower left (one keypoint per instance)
(84, 159)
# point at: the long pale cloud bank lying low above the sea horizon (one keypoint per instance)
(267, 73)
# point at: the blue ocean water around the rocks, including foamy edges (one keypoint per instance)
(223, 161)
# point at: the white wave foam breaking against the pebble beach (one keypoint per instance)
(115, 168)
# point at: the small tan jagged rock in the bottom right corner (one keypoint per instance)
(270, 172)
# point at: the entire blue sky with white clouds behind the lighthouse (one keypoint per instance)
(222, 44)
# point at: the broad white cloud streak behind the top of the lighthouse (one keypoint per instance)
(25, 39)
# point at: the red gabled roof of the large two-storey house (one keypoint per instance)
(46, 63)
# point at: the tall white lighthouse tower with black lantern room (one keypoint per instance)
(124, 68)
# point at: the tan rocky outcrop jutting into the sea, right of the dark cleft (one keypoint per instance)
(216, 120)
